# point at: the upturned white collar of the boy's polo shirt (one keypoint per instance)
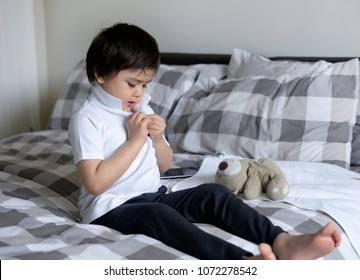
(114, 104)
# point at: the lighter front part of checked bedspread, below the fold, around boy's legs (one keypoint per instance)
(31, 213)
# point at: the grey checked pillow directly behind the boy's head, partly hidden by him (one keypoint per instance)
(169, 83)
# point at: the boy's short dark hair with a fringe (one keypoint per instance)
(119, 47)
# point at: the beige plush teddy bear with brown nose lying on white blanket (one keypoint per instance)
(253, 177)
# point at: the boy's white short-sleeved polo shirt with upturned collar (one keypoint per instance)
(96, 130)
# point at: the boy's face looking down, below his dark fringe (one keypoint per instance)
(127, 85)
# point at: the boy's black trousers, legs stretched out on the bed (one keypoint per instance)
(169, 218)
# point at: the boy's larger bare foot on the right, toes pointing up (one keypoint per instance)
(307, 246)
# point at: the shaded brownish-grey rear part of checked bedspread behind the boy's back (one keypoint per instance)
(43, 157)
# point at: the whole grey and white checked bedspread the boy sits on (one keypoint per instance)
(39, 219)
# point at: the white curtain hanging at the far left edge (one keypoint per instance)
(19, 75)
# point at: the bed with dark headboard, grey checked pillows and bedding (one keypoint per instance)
(300, 111)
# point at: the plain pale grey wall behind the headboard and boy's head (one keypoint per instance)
(269, 27)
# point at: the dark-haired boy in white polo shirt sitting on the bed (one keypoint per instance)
(119, 149)
